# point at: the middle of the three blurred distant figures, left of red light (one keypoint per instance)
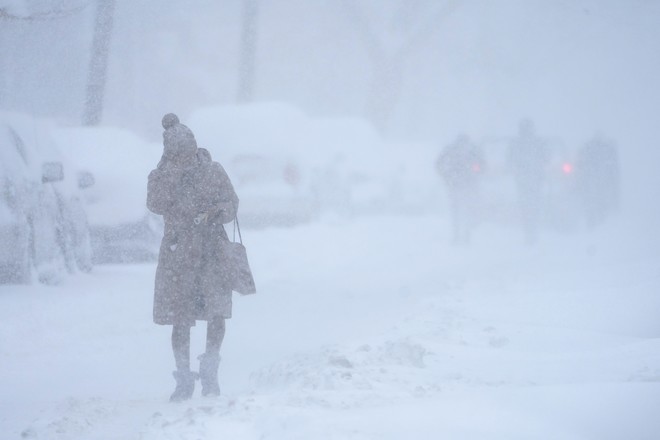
(528, 158)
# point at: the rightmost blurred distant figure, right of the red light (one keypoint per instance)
(598, 179)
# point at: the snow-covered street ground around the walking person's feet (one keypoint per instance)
(373, 328)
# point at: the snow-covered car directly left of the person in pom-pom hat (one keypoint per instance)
(122, 229)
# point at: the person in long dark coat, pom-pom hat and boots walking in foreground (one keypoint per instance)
(195, 197)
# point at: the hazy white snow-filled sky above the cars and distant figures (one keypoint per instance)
(474, 66)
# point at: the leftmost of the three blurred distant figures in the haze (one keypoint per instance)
(460, 165)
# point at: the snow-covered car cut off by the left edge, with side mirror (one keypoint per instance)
(43, 225)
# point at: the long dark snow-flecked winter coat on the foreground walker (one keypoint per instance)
(192, 278)
